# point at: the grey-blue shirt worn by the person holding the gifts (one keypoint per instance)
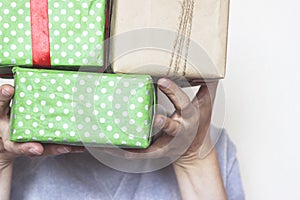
(80, 176)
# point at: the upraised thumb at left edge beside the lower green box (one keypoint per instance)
(6, 93)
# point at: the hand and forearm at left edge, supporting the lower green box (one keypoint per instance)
(10, 150)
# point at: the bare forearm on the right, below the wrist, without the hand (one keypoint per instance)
(200, 179)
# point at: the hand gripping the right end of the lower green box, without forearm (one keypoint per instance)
(184, 132)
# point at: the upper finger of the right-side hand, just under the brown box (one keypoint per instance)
(174, 93)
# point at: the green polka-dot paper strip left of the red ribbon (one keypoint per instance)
(15, 34)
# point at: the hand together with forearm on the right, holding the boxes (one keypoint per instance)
(183, 135)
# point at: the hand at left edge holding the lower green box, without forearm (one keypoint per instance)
(9, 150)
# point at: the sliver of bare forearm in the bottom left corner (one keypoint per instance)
(5, 180)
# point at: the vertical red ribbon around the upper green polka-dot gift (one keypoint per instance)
(40, 33)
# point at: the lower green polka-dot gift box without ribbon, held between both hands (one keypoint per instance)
(82, 108)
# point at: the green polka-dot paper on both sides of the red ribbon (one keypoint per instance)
(76, 33)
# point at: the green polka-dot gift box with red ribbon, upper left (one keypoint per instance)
(57, 33)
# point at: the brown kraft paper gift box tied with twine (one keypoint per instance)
(185, 38)
